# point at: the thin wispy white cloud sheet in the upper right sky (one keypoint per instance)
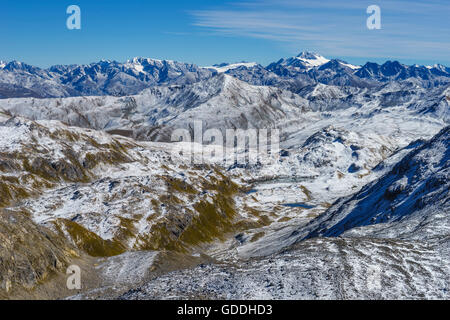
(410, 29)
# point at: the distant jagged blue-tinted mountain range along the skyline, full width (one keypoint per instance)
(18, 79)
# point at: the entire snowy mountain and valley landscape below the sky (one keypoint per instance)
(354, 205)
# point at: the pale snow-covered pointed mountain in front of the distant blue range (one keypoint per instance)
(221, 102)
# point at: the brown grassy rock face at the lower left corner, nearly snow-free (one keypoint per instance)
(29, 254)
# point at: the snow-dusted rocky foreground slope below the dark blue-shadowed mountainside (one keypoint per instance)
(338, 269)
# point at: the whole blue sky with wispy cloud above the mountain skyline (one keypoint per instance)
(207, 32)
